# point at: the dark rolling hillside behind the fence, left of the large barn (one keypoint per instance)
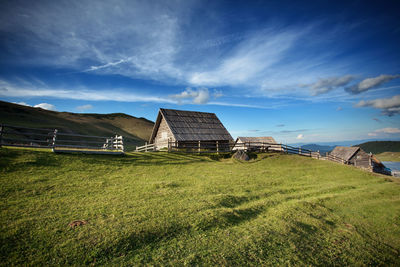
(135, 130)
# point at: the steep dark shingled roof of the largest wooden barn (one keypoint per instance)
(192, 125)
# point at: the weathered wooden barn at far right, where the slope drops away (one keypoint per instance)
(359, 158)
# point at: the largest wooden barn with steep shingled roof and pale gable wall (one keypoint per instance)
(189, 129)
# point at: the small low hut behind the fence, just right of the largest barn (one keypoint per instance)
(264, 143)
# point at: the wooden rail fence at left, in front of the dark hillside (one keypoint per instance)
(60, 142)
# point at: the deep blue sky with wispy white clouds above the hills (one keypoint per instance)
(300, 71)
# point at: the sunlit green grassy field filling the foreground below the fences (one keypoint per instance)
(160, 208)
